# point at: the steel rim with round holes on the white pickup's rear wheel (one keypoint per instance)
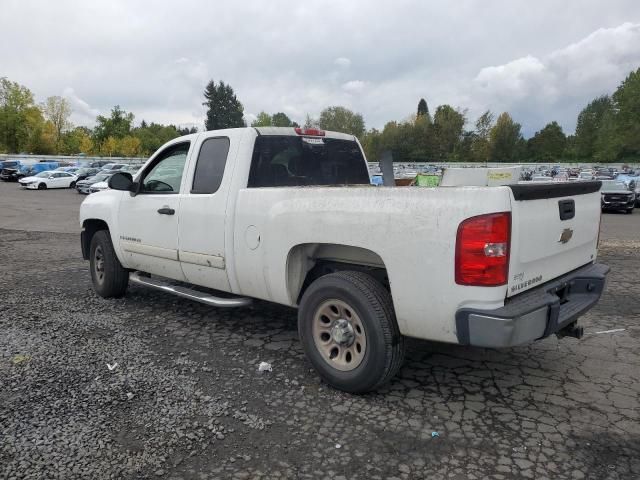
(339, 335)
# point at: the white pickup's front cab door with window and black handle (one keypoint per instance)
(148, 218)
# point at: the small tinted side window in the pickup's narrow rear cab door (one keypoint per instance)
(210, 166)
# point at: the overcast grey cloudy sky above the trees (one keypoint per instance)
(540, 60)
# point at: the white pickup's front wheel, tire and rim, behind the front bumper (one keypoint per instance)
(109, 278)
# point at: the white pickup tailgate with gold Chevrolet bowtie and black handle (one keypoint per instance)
(554, 230)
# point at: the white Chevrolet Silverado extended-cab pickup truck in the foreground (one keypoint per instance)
(289, 216)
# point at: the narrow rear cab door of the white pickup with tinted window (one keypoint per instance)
(203, 215)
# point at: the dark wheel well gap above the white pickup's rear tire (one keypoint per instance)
(310, 261)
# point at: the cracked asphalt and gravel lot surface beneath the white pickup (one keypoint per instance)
(151, 386)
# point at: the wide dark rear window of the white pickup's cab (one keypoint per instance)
(280, 161)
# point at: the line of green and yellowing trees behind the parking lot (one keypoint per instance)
(607, 129)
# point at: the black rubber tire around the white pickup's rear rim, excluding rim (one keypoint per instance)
(373, 306)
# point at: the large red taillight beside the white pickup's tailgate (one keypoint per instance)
(482, 250)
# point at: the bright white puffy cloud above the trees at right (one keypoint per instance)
(557, 85)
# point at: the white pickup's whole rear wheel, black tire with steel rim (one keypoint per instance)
(348, 329)
